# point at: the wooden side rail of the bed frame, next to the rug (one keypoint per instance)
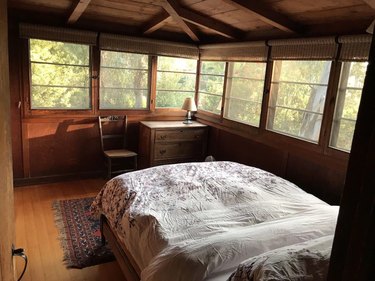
(127, 263)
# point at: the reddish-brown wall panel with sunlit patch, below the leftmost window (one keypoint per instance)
(63, 147)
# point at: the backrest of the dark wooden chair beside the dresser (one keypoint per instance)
(112, 130)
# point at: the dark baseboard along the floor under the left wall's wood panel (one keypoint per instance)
(57, 178)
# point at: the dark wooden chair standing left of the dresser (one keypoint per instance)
(113, 131)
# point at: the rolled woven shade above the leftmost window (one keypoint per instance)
(57, 34)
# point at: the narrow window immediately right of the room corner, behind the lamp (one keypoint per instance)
(211, 86)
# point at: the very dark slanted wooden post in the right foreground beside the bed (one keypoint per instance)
(352, 256)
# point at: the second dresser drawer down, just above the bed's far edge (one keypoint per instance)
(177, 150)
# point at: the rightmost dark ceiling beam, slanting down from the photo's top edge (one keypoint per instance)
(266, 14)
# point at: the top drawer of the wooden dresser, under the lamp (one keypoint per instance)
(179, 135)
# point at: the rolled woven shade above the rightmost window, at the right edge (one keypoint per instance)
(354, 47)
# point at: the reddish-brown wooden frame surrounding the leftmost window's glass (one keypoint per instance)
(27, 85)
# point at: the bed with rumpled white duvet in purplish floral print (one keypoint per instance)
(203, 221)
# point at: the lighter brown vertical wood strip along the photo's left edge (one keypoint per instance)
(6, 175)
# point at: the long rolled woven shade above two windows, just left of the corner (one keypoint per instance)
(147, 46)
